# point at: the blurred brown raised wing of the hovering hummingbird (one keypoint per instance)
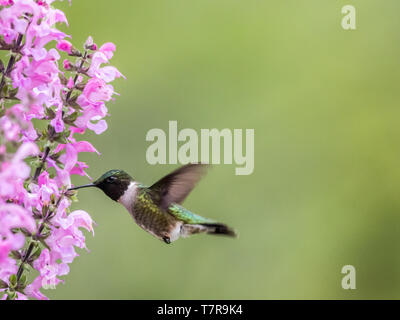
(176, 186)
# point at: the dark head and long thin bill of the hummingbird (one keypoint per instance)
(114, 183)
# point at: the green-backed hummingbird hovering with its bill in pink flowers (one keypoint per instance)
(157, 209)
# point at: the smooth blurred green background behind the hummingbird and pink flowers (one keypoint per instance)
(324, 104)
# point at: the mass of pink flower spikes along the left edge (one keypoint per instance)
(38, 159)
